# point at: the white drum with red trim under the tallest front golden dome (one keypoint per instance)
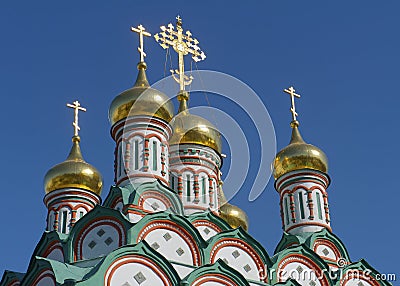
(141, 150)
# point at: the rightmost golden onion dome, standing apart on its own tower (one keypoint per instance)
(299, 155)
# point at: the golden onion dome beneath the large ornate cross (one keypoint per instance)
(192, 129)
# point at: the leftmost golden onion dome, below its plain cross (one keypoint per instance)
(73, 173)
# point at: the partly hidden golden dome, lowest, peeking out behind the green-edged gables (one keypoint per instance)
(232, 214)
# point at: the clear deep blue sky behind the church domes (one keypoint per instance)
(342, 56)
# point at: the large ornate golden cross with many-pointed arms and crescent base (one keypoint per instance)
(183, 44)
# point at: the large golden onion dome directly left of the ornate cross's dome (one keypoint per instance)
(144, 100)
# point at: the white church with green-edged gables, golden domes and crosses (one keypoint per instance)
(166, 220)
